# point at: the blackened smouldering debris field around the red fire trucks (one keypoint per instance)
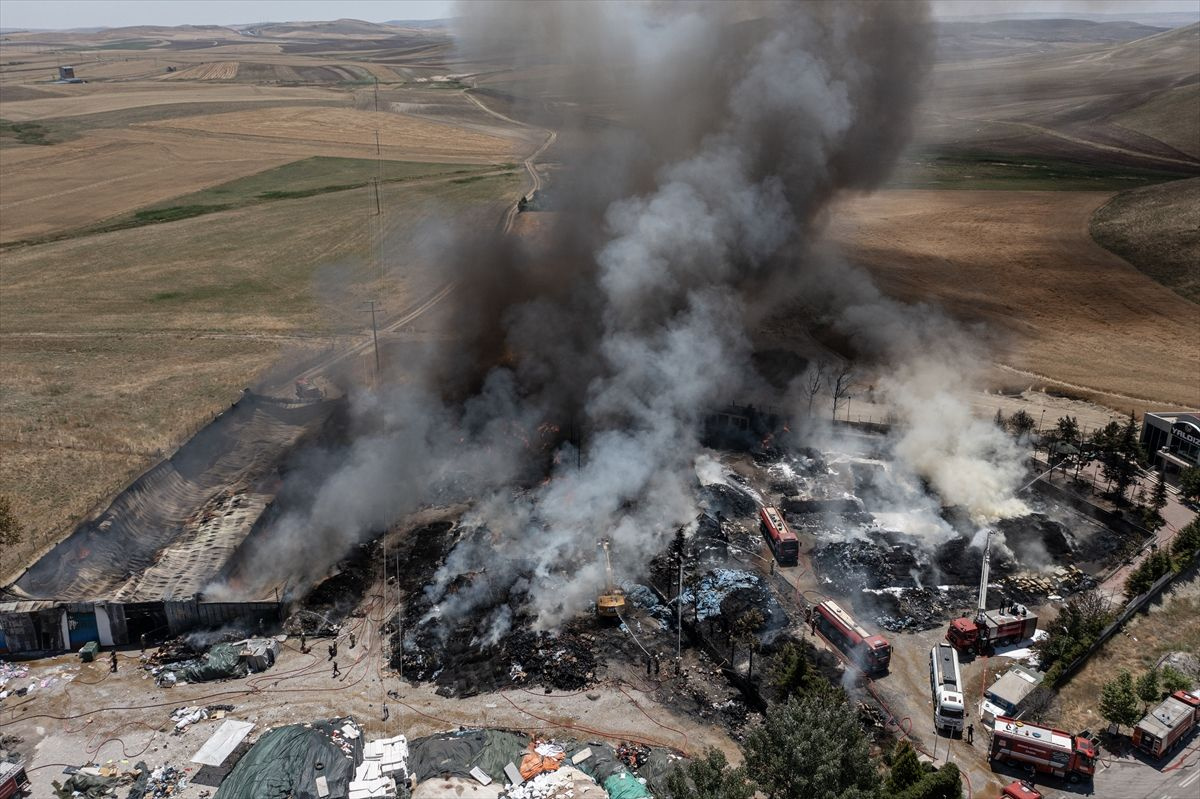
(897, 567)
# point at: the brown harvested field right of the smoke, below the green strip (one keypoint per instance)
(1069, 314)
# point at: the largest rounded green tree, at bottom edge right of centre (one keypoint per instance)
(812, 748)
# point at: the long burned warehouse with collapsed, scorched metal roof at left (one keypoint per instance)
(141, 568)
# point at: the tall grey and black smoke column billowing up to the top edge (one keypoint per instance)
(736, 125)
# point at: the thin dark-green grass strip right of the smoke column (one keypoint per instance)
(983, 171)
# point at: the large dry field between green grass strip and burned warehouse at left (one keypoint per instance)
(119, 345)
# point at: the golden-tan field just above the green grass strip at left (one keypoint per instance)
(111, 172)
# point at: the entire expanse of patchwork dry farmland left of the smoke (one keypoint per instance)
(118, 345)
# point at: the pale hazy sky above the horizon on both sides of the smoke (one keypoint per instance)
(118, 14)
